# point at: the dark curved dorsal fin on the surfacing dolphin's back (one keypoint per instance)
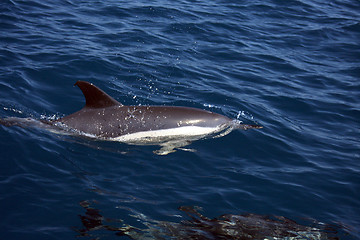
(95, 97)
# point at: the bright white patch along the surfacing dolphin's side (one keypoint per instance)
(188, 131)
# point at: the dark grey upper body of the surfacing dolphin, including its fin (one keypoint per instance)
(105, 117)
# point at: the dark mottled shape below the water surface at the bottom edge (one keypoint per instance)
(227, 226)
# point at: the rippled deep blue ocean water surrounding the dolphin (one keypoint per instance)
(290, 66)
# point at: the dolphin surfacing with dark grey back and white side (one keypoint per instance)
(104, 118)
